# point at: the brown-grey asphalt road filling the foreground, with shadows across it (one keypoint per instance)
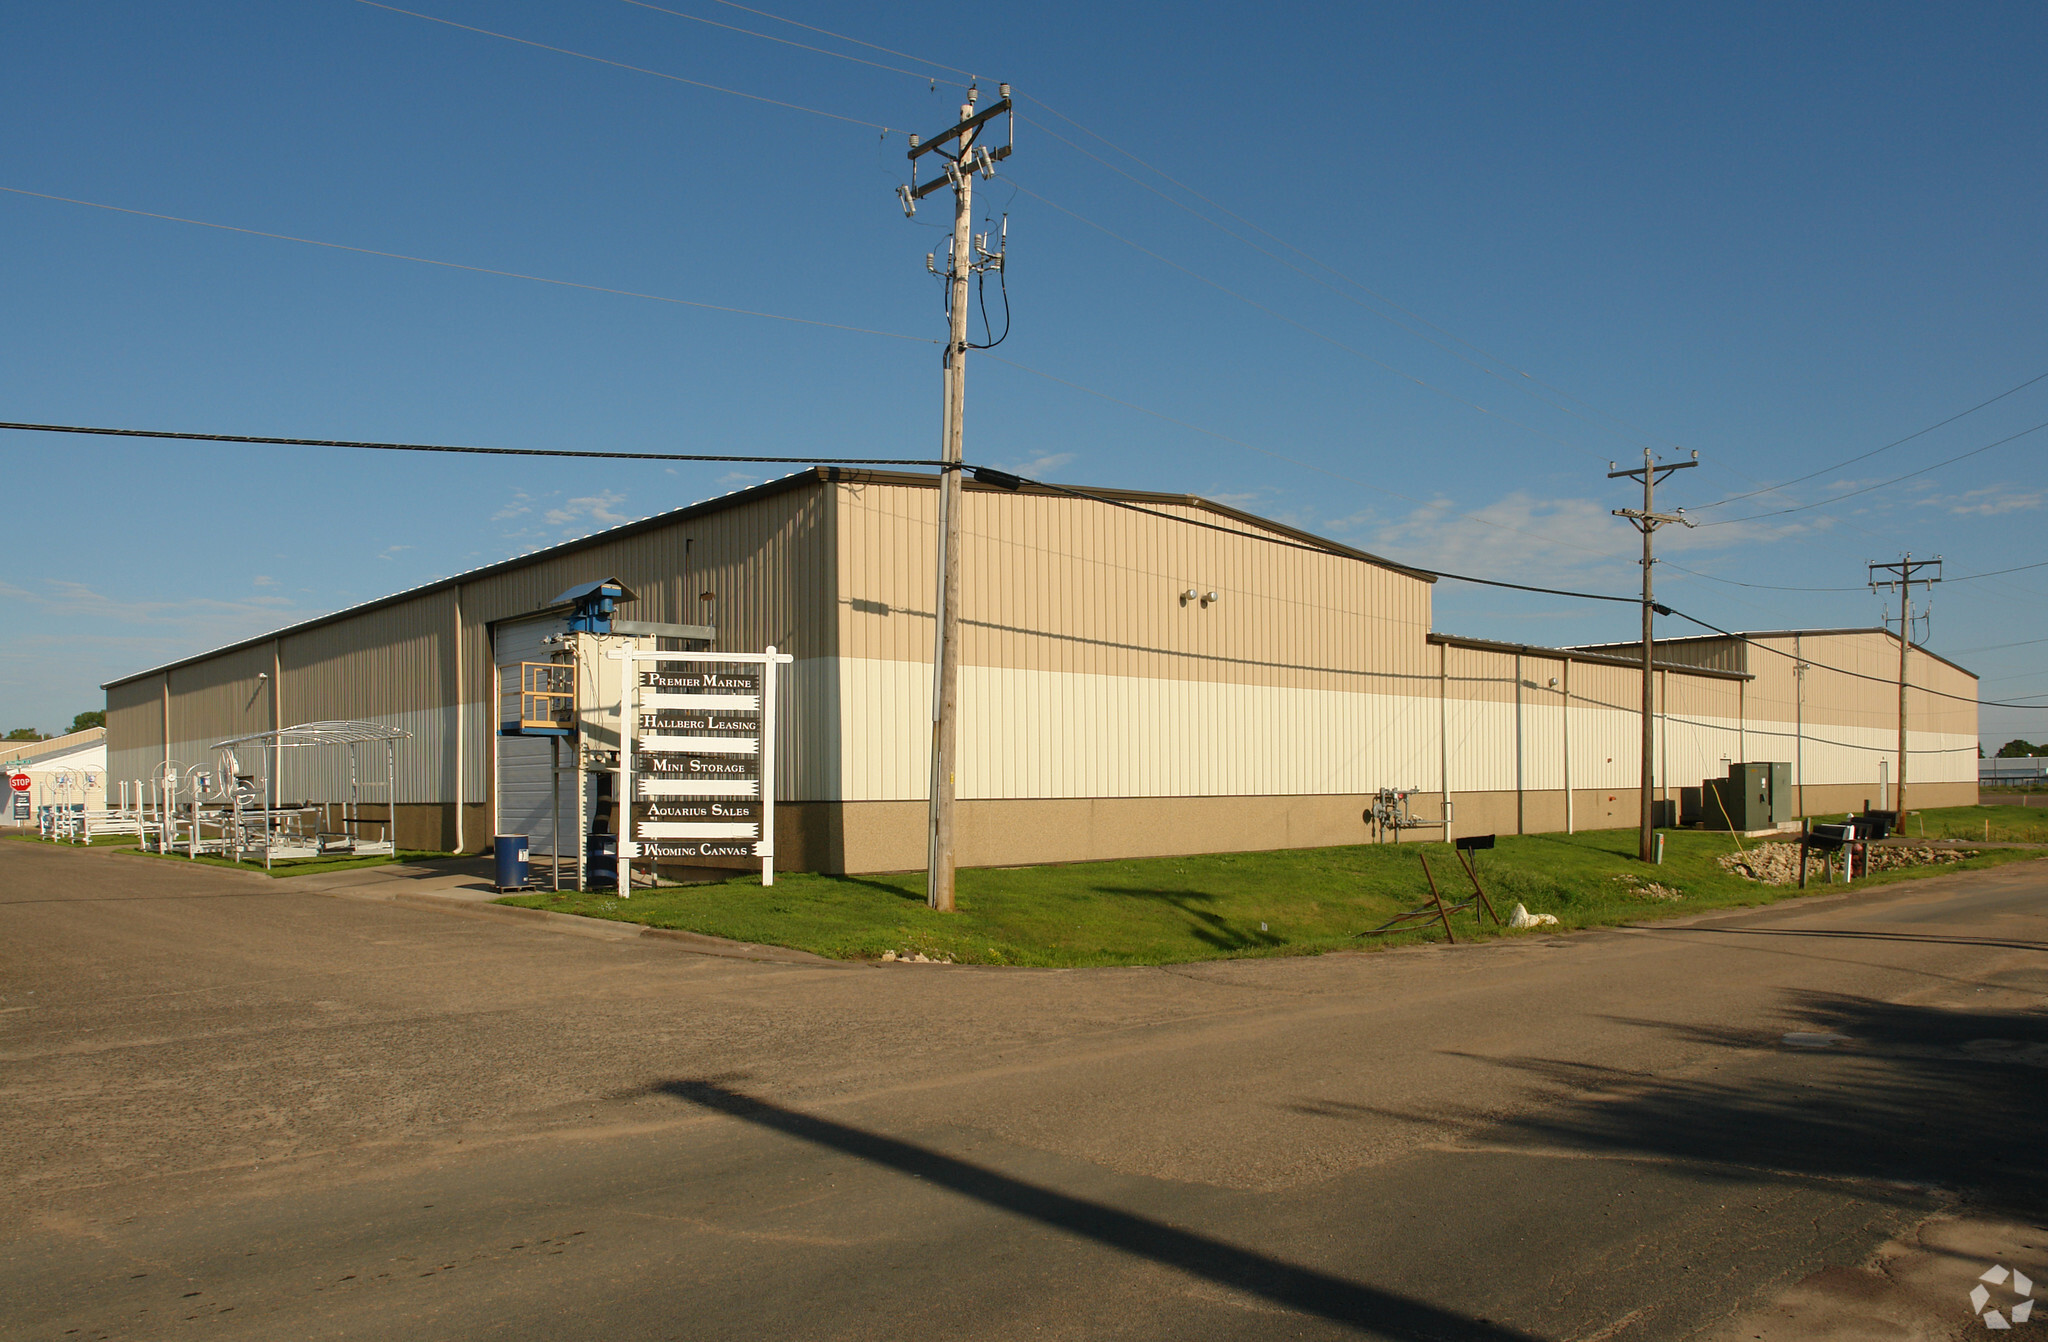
(237, 1109)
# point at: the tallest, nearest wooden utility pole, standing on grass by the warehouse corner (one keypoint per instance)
(964, 259)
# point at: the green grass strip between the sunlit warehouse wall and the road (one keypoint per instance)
(1193, 909)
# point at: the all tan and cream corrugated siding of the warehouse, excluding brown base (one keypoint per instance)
(1086, 673)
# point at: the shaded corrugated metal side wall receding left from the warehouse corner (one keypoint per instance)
(767, 564)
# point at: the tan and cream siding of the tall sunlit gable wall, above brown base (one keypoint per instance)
(1089, 673)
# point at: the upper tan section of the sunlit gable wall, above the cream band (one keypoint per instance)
(1080, 587)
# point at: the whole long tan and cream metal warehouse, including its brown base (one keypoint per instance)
(1129, 685)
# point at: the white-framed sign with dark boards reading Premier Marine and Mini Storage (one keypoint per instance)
(697, 757)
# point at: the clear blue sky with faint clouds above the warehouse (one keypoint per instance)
(1531, 241)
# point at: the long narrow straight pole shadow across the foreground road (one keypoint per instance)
(1228, 1265)
